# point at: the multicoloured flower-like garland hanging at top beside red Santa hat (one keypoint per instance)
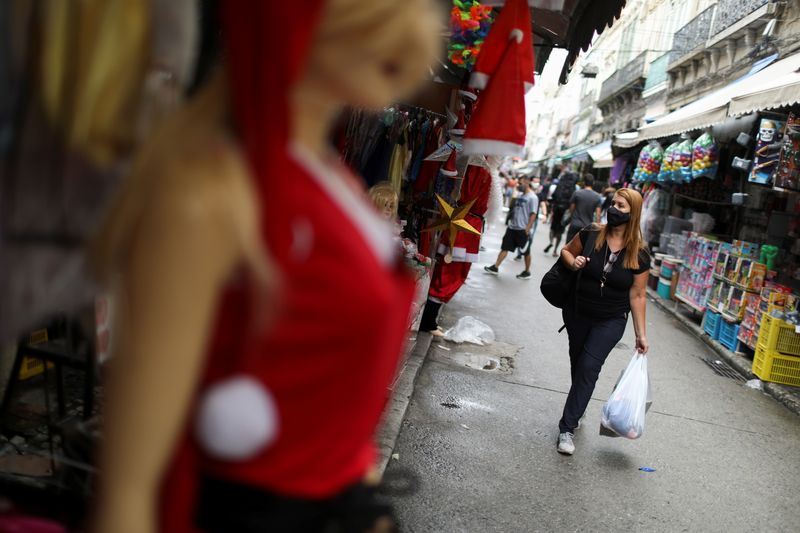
(470, 23)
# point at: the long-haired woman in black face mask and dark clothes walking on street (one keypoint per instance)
(612, 285)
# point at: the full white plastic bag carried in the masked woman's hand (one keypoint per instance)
(624, 412)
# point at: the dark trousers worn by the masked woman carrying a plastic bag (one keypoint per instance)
(590, 342)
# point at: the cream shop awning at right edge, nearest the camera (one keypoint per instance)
(779, 86)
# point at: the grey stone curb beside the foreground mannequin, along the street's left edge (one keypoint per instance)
(402, 391)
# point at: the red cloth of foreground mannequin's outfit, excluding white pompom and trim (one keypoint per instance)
(329, 381)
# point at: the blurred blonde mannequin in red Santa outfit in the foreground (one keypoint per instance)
(209, 250)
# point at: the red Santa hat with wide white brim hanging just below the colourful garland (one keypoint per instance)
(497, 127)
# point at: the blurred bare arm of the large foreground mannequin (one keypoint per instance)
(185, 246)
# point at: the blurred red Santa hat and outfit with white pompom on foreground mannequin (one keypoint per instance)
(286, 415)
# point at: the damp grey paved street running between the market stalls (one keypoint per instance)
(482, 442)
